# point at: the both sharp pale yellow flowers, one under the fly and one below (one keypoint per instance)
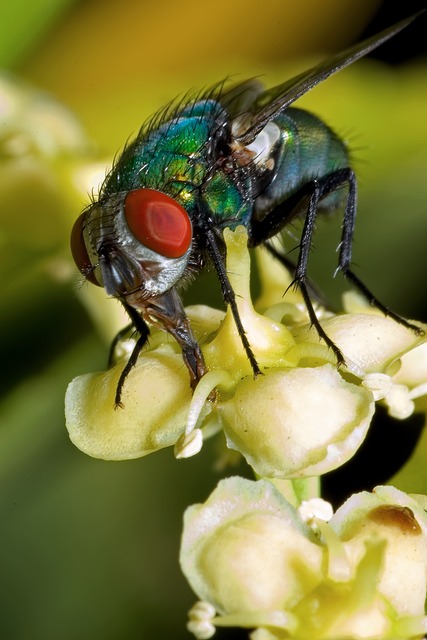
(270, 555)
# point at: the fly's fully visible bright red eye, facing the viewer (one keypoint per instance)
(158, 222)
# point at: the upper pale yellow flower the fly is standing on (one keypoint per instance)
(302, 417)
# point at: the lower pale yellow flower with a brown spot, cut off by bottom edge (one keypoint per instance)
(257, 562)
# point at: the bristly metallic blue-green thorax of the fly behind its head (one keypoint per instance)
(175, 157)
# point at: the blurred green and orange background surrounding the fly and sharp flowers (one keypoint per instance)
(88, 549)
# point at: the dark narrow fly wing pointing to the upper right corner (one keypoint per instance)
(267, 105)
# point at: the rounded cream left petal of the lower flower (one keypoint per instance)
(225, 539)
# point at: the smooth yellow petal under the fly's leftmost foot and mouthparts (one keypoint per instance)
(156, 399)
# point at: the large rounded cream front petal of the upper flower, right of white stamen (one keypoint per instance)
(297, 422)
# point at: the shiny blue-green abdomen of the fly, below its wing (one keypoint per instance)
(308, 149)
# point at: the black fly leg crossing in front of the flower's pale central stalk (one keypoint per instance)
(229, 295)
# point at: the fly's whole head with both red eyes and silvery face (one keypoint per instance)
(134, 244)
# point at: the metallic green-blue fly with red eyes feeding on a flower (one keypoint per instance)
(229, 157)
